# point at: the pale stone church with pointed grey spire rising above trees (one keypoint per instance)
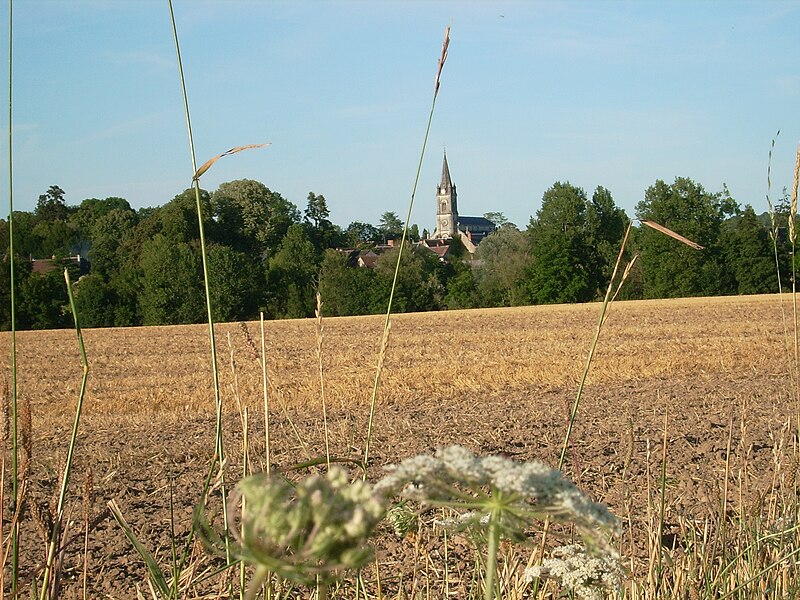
(451, 225)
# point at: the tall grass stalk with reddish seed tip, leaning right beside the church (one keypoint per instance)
(386, 322)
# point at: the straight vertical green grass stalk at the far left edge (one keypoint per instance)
(15, 484)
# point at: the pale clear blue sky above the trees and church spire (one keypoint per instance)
(616, 94)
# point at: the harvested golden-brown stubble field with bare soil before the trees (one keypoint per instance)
(497, 381)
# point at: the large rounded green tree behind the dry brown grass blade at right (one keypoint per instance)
(671, 269)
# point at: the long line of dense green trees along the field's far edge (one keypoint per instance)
(264, 255)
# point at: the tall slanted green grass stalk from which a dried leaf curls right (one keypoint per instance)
(219, 446)
